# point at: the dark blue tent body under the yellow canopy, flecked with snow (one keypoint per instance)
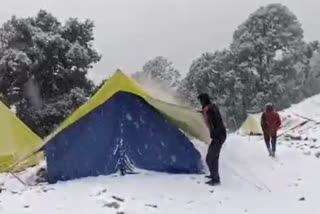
(123, 133)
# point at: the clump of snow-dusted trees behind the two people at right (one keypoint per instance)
(268, 61)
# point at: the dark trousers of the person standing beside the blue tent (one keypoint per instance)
(212, 158)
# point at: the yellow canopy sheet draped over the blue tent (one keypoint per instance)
(188, 120)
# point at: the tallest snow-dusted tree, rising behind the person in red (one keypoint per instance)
(271, 57)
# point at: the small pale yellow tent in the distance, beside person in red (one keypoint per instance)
(251, 125)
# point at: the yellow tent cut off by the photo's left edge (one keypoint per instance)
(16, 141)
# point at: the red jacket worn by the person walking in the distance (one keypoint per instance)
(270, 123)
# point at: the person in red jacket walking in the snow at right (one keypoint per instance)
(270, 123)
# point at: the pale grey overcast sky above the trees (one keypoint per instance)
(130, 32)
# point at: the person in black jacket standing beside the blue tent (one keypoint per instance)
(218, 135)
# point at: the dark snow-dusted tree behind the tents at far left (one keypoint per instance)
(39, 54)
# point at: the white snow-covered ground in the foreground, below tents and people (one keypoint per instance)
(252, 182)
